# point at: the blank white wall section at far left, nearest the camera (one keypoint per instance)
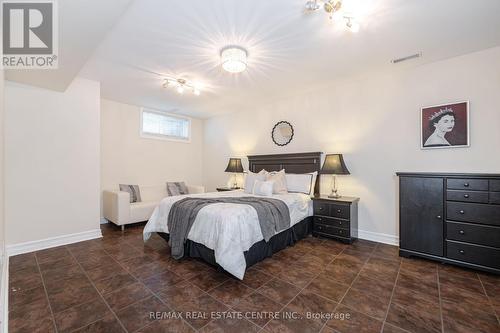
(51, 161)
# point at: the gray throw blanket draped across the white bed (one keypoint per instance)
(273, 215)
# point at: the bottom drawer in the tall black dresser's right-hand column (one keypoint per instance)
(476, 254)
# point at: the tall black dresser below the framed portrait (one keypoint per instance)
(453, 218)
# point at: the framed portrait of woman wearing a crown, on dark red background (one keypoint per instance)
(445, 126)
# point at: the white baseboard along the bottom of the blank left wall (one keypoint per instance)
(41, 244)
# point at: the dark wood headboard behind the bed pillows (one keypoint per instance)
(292, 163)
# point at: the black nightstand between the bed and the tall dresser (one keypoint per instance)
(336, 218)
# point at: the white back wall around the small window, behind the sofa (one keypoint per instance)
(128, 158)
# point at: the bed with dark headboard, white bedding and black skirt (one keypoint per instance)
(228, 235)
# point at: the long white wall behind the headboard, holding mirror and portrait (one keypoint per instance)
(374, 121)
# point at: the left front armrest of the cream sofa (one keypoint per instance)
(116, 206)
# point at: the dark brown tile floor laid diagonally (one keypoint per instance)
(114, 284)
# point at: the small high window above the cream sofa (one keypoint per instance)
(164, 126)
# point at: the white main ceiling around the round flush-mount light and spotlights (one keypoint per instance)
(288, 50)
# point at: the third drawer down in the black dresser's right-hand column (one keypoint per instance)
(473, 213)
